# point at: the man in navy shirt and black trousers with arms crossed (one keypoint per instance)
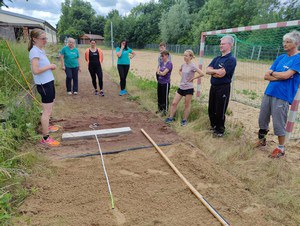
(221, 70)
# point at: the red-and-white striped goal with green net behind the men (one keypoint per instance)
(256, 47)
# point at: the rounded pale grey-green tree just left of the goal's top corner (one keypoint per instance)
(175, 24)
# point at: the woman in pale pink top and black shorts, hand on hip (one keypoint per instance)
(186, 88)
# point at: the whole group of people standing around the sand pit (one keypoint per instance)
(283, 77)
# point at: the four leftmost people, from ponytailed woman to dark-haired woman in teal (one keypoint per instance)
(70, 62)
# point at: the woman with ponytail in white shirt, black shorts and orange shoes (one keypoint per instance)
(43, 77)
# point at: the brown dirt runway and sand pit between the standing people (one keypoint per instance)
(145, 189)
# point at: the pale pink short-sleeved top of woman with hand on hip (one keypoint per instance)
(188, 72)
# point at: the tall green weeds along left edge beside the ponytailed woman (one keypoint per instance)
(18, 133)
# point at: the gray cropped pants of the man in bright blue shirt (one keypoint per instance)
(278, 109)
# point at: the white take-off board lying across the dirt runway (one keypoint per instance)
(99, 133)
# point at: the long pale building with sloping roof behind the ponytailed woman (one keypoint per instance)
(14, 26)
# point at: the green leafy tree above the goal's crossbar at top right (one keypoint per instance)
(218, 14)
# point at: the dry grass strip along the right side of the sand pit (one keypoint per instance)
(274, 181)
